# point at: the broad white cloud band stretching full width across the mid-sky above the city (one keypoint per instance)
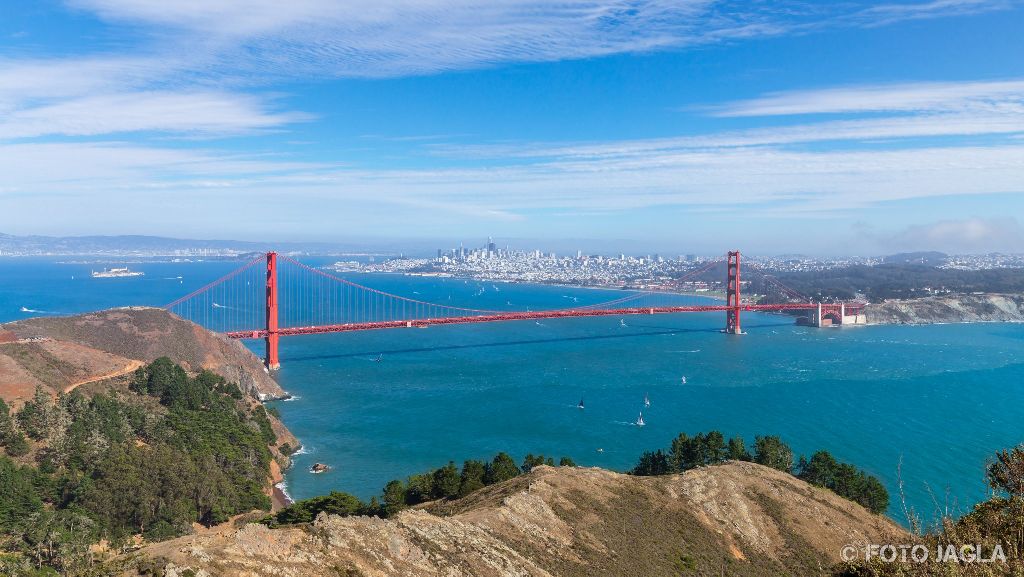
(775, 181)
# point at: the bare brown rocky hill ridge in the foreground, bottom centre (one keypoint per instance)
(737, 519)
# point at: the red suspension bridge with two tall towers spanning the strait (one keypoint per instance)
(275, 296)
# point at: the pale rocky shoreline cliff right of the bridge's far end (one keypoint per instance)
(954, 309)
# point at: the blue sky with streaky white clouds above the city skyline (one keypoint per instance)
(684, 126)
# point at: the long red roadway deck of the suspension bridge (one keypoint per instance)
(527, 316)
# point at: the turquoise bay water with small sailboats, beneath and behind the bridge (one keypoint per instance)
(937, 399)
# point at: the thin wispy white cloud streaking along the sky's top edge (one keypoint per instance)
(371, 38)
